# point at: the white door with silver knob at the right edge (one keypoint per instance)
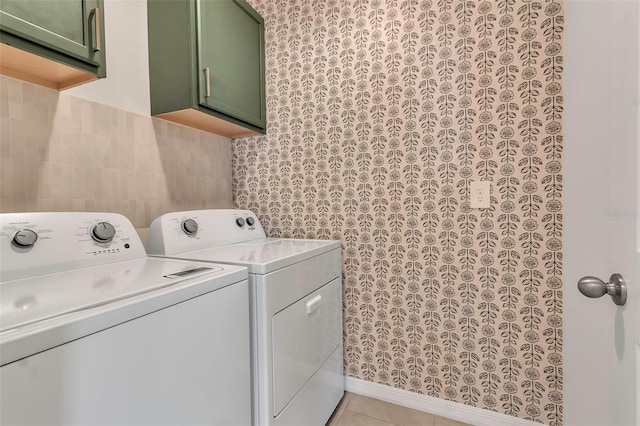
(602, 235)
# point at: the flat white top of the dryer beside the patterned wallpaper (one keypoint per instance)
(263, 256)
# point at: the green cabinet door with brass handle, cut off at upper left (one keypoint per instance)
(70, 27)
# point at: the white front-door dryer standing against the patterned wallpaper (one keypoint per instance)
(296, 293)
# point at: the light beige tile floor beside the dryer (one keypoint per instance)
(357, 410)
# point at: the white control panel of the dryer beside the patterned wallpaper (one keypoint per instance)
(177, 232)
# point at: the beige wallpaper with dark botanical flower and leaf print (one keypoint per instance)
(380, 114)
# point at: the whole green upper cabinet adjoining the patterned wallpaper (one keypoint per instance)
(206, 65)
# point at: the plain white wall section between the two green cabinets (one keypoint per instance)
(127, 83)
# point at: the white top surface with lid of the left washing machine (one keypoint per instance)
(33, 300)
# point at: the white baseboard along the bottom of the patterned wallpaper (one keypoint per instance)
(428, 404)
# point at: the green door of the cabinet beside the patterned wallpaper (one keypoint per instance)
(231, 59)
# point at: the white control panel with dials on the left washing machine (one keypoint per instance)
(38, 243)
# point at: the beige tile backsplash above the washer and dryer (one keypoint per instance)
(63, 153)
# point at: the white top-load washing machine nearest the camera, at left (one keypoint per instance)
(94, 332)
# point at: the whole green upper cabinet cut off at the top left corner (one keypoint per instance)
(57, 43)
